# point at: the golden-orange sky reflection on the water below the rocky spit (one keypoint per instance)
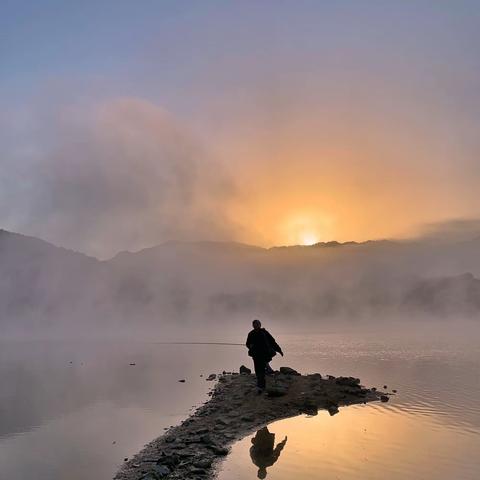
(361, 442)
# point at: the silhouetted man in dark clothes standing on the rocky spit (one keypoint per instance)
(262, 347)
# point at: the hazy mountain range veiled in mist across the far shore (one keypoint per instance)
(44, 288)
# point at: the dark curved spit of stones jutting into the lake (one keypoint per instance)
(193, 449)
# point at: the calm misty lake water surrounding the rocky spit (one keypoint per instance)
(74, 411)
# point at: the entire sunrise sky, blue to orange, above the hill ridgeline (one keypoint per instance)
(128, 124)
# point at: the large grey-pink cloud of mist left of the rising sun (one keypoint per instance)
(122, 174)
